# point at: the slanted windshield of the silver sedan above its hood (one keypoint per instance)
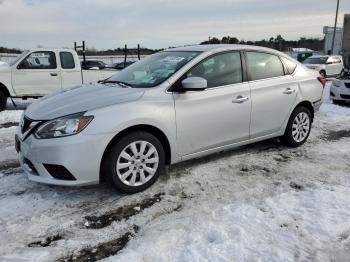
(154, 69)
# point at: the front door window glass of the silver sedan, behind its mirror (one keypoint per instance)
(219, 70)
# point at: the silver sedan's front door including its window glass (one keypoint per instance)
(218, 115)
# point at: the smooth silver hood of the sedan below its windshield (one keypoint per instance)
(79, 99)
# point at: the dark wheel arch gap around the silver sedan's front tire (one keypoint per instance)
(146, 128)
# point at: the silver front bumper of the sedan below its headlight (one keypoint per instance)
(80, 154)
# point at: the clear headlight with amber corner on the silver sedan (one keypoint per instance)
(64, 126)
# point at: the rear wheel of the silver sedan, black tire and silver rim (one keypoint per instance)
(299, 123)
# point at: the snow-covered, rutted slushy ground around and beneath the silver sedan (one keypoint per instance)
(263, 202)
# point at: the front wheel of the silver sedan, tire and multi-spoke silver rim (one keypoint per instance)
(125, 170)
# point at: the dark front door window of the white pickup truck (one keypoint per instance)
(39, 60)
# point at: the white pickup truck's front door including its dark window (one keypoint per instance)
(37, 74)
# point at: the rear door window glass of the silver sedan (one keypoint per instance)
(263, 65)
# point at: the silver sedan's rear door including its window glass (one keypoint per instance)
(273, 93)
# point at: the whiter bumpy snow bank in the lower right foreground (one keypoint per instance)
(297, 225)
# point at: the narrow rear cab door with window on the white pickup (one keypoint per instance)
(70, 71)
